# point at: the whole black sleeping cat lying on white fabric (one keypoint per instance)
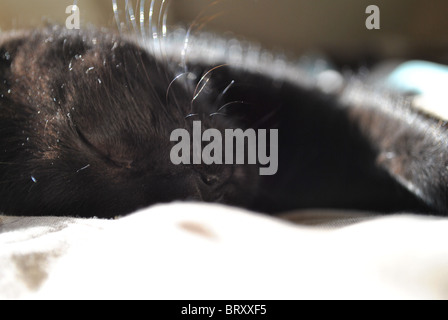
(86, 118)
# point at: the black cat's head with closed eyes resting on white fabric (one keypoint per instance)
(85, 124)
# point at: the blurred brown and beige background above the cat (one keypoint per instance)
(409, 28)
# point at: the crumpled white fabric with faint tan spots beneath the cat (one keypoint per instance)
(201, 251)
